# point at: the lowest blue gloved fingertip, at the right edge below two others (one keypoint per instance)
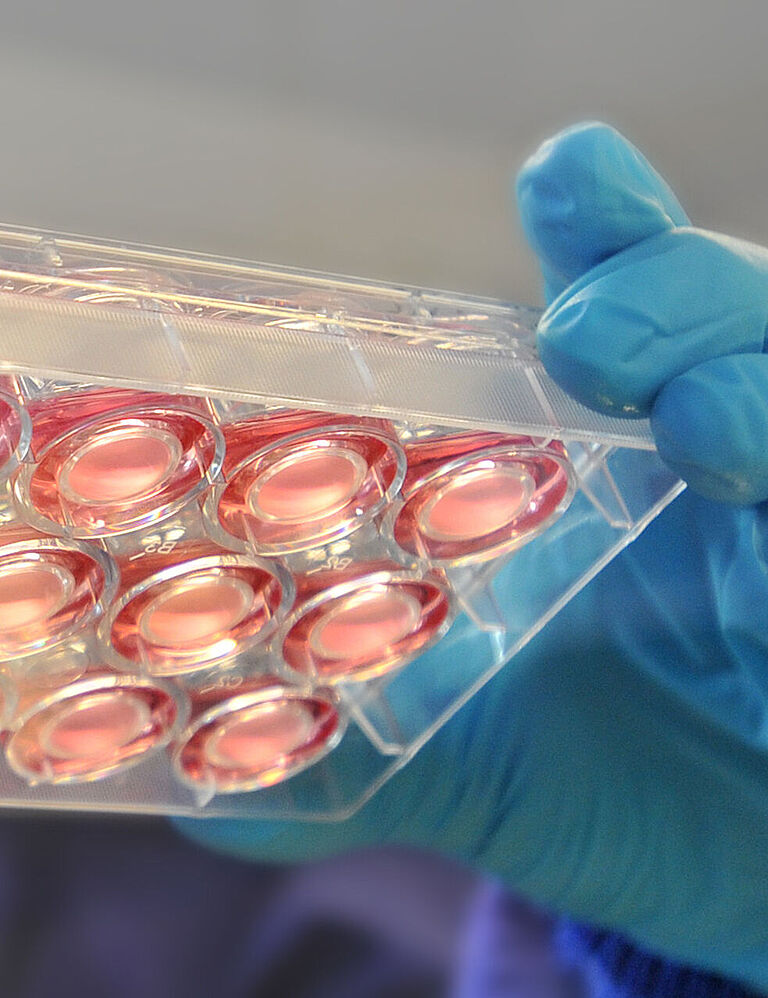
(711, 428)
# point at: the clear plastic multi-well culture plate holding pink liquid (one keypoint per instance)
(263, 531)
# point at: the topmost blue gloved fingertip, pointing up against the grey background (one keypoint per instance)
(586, 194)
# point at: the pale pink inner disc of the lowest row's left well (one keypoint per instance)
(97, 726)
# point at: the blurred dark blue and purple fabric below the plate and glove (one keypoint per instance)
(119, 909)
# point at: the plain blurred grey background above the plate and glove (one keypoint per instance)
(366, 138)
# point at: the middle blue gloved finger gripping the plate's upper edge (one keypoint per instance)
(626, 328)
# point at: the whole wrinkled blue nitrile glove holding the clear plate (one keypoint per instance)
(617, 770)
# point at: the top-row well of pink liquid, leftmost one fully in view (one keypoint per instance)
(103, 470)
